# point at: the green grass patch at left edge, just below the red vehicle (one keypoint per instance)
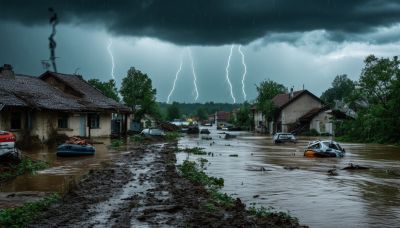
(26, 165)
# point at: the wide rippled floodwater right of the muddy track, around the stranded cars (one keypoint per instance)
(302, 186)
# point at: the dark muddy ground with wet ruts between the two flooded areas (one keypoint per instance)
(144, 189)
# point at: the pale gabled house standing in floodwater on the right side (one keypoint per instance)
(297, 111)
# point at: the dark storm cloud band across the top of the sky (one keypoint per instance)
(211, 22)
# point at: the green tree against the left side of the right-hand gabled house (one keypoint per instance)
(266, 91)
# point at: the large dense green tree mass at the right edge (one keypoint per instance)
(378, 86)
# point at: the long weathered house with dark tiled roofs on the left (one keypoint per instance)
(55, 102)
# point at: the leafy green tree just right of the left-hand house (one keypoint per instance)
(137, 91)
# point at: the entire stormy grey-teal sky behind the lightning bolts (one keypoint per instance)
(295, 43)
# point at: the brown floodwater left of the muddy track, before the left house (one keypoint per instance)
(62, 174)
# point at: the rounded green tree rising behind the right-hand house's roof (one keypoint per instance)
(342, 88)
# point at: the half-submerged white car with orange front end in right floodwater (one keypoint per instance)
(322, 149)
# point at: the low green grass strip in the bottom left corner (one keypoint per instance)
(19, 216)
